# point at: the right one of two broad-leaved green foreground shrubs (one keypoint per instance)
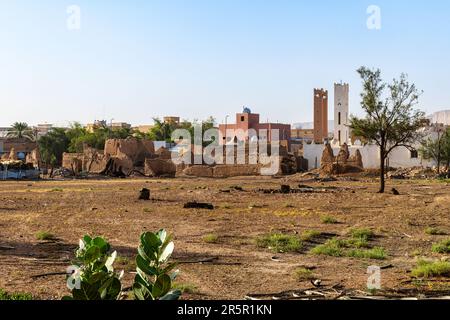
(154, 276)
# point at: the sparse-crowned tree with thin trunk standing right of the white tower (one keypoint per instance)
(391, 120)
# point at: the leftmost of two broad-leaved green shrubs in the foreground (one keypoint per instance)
(97, 279)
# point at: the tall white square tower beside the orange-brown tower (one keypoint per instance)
(341, 129)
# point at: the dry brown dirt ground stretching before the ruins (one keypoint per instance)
(72, 208)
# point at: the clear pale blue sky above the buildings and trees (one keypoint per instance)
(133, 60)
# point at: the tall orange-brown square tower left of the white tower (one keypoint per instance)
(320, 115)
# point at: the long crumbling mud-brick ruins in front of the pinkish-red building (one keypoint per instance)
(124, 157)
